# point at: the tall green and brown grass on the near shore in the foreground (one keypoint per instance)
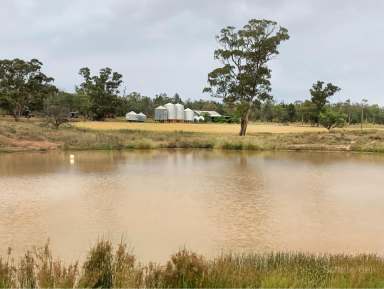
(108, 267)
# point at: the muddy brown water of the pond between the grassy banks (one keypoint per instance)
(208, 201)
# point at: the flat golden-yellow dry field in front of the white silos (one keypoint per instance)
(214, 128)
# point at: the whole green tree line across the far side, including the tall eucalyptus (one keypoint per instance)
(242, 81)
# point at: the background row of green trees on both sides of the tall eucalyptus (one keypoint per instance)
(24, 87)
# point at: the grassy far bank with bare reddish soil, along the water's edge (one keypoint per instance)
(36, 135)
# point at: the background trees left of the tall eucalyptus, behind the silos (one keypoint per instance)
(25, 88)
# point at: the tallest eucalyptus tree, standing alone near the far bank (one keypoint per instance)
(243, 79)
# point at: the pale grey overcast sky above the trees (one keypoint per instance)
(167, 45)
